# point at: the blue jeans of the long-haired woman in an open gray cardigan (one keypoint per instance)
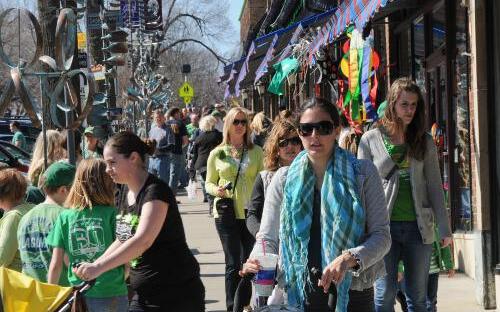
(406, 245)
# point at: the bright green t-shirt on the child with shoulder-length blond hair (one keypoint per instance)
(85, 235)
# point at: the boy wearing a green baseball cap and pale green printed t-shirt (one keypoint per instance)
(36, 225)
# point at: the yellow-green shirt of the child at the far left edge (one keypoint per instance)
(9, 252)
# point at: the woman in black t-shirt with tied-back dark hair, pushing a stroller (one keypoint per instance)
(163, 270)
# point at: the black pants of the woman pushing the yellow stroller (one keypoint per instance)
(189, 297)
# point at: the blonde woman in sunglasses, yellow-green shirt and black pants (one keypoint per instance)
(238, 161)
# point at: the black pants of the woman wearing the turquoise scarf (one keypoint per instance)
(359, 301)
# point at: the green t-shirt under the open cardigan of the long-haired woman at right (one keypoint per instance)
(403, 209)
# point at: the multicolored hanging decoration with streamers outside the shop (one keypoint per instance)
(358, 83)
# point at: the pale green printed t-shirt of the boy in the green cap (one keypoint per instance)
(31, 234)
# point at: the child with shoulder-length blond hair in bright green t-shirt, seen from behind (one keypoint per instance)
(85, 231)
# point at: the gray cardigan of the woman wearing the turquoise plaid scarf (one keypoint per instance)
(376, 240)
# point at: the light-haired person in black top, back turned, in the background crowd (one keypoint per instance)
(208, 139)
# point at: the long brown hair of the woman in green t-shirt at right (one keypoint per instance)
(415, 132)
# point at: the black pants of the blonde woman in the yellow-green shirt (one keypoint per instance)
(237, 243)
